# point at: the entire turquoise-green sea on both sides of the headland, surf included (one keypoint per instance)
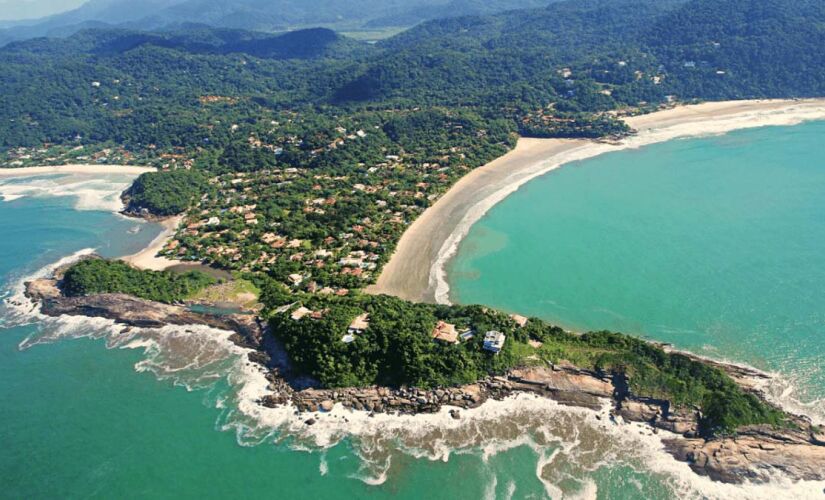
(89, 409)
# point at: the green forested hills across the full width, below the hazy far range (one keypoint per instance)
(553, 71)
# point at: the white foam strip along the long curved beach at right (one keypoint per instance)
(790, 115)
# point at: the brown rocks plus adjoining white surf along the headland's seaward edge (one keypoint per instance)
(754, 459)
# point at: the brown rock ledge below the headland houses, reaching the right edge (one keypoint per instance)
(754, 454)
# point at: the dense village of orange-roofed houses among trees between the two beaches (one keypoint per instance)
(229, 226)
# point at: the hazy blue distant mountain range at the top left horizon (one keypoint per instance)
(260, 15)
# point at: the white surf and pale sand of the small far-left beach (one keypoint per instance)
(91, 193)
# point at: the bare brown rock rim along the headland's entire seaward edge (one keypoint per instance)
(754, 454)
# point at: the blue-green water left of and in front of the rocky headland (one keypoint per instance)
(87, 413)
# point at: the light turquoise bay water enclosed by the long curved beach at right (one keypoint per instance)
(714, 245)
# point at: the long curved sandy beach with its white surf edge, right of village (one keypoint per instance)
(416, 270)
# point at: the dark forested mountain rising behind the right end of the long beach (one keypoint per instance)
(702, 49)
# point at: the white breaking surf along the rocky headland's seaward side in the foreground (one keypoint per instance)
(571, 446)
